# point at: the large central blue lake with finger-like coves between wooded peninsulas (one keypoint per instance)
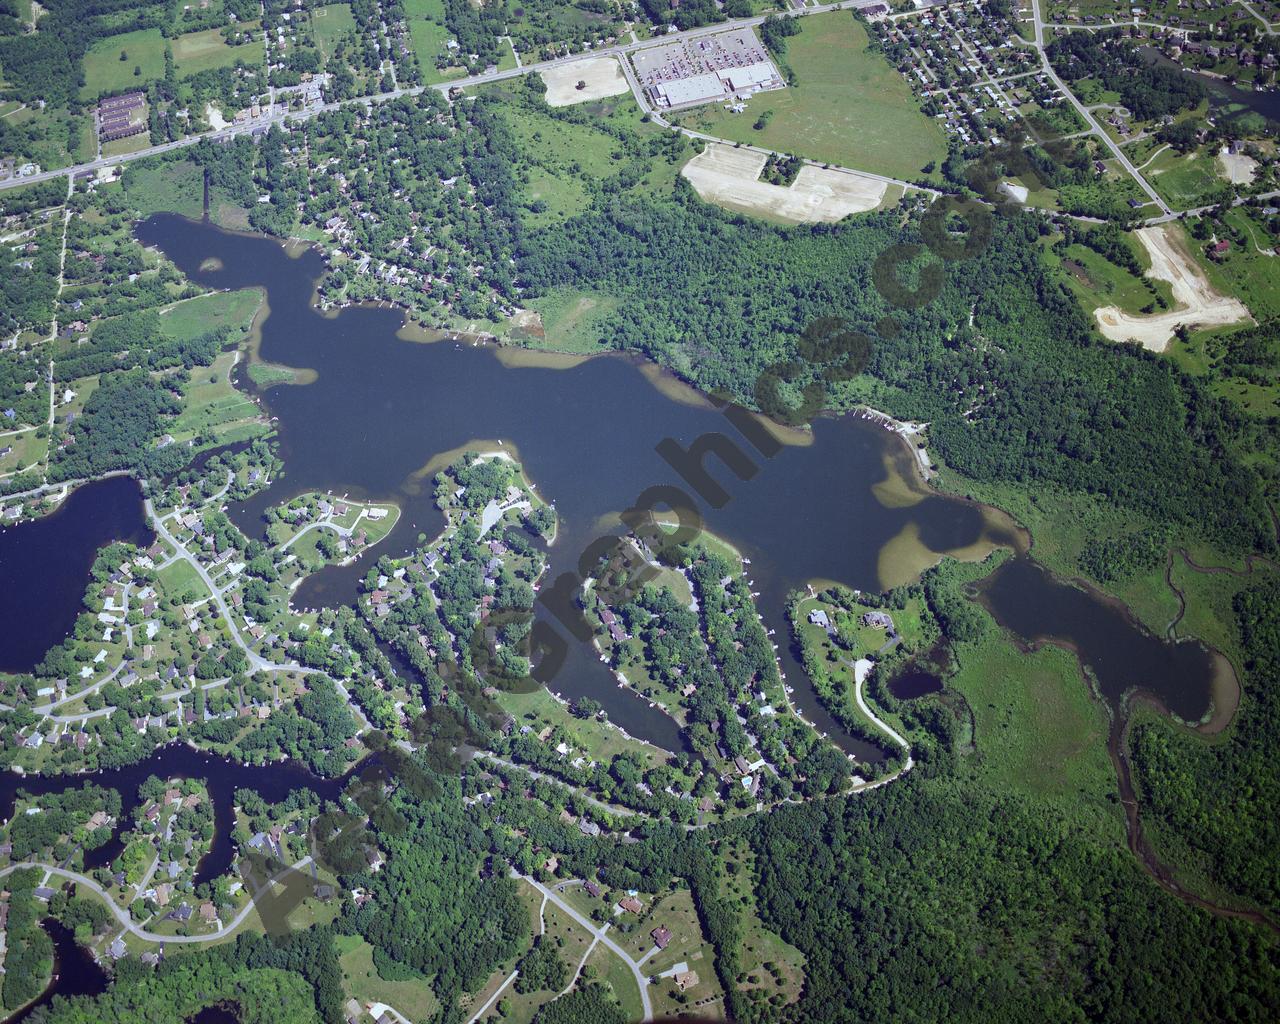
(382, 408)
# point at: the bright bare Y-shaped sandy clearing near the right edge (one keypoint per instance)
(1196, 304)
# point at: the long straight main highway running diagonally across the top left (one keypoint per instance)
(476, 80)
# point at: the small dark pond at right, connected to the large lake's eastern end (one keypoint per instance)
(1122, 656)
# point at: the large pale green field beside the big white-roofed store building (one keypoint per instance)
(851, 108)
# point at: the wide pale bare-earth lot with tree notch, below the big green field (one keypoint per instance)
(730, 177)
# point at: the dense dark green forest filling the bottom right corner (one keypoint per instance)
(879, 892)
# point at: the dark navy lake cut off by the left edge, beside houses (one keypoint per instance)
(44, 565)
